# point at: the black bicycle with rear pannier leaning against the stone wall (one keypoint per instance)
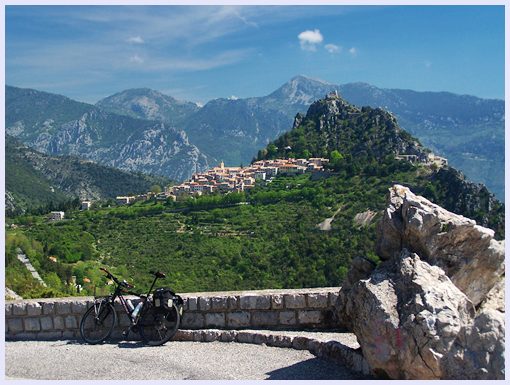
(156, 317)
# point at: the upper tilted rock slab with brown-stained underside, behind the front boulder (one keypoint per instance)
(468, 253)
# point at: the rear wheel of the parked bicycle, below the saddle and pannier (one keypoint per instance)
(159, 325)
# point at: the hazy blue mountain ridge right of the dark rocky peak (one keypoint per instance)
(467, 130)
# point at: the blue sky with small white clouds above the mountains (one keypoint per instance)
(203, 52)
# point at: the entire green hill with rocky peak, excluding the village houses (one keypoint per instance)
(268, 237)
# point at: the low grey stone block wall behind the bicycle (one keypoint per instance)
(42, 319)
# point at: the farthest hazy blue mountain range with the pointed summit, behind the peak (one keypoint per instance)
(469, 131)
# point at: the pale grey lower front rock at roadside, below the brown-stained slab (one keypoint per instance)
(412, 322)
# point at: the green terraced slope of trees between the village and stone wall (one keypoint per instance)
(265, 238)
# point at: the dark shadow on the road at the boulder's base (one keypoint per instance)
(315, 369)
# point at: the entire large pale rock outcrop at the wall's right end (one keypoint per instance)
(434, 308)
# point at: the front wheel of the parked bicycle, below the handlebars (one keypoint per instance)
(97, 323)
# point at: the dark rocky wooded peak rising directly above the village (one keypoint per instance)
(333, 124)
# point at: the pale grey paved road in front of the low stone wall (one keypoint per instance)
(69, 360)
